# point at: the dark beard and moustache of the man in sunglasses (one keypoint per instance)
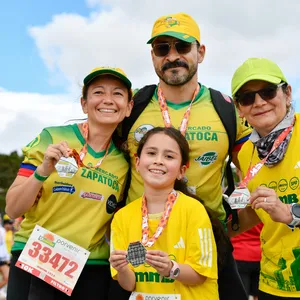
(175, 79)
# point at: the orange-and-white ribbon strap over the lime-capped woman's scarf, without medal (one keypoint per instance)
(252, 171)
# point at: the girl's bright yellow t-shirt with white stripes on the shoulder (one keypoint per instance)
(187, 238)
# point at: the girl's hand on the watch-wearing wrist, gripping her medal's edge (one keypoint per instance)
(160, 261)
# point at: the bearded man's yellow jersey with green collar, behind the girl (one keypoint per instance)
(208, 142)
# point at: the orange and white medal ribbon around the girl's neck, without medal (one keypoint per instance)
(146, 241)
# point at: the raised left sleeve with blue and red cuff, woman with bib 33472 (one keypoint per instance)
(34, 153)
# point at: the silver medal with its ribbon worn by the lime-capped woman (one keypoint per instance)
(240, 196)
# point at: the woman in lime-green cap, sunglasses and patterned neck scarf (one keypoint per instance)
(270, 163)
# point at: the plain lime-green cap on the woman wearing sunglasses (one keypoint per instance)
(256, 69)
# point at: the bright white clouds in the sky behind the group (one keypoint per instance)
(233, 30)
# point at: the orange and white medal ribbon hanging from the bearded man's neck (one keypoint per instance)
(165, 112)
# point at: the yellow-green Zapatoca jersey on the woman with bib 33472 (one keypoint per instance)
(74, 208)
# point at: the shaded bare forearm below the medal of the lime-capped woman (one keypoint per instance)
(247, 219)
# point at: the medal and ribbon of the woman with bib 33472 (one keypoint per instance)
(68, 166)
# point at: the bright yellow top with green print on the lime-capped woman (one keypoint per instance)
(280, 264)
